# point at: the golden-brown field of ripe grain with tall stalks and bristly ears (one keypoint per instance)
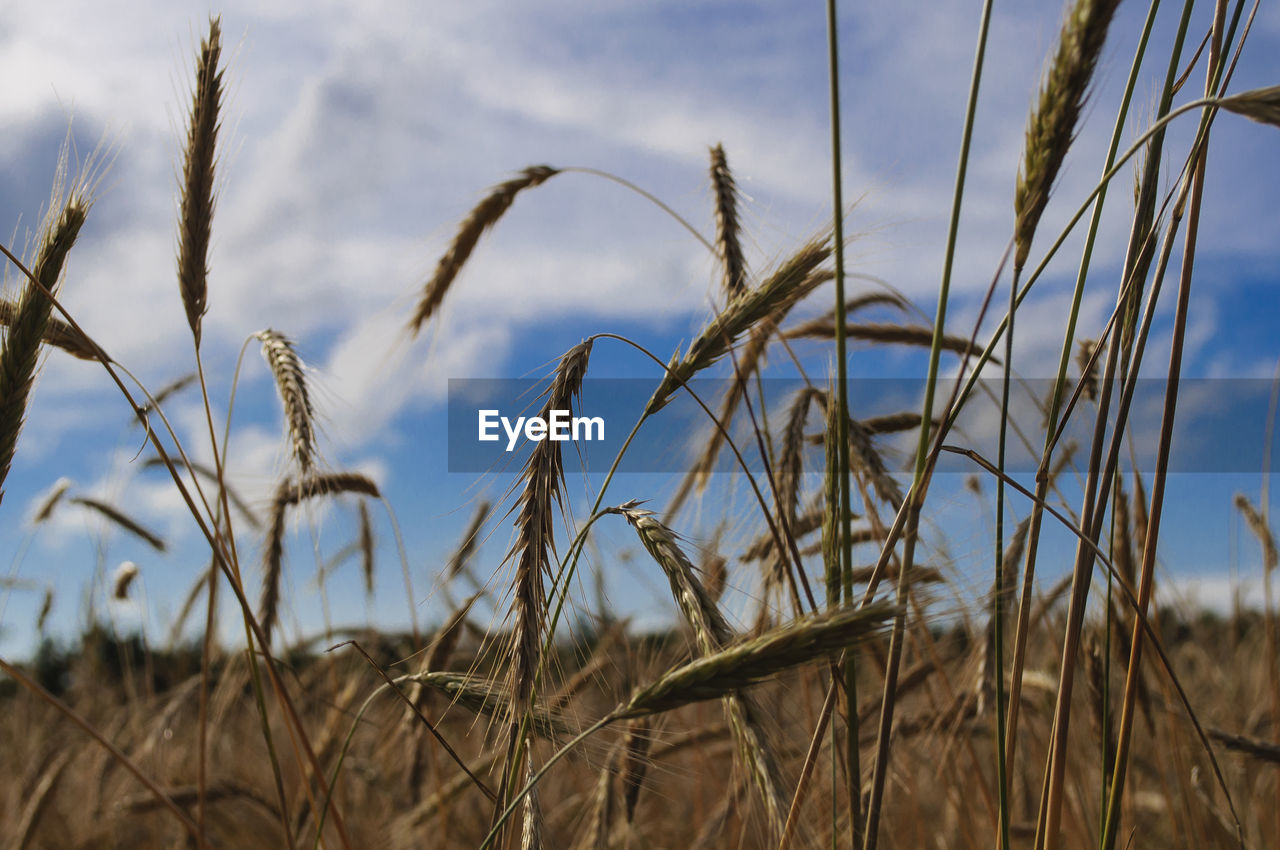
(881, 715)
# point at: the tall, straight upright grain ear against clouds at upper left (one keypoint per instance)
(198, 182)
